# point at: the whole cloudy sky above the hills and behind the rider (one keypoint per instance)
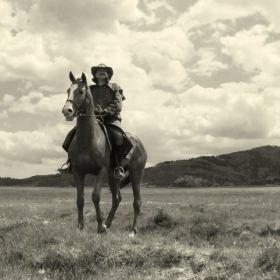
(200, 77)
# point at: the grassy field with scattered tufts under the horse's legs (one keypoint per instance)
(221, 233)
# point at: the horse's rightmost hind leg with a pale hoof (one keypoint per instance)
(135, 179)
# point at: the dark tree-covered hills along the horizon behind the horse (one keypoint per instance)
(257, 166)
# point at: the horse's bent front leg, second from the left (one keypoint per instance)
(96, 200)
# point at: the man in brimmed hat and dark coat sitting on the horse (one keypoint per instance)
(107, 99)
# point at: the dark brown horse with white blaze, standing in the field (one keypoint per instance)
(90, 153)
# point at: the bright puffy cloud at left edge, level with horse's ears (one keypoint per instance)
(23, 57)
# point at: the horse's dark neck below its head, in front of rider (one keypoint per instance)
(88, 129)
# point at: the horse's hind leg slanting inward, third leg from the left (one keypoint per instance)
(114, 185)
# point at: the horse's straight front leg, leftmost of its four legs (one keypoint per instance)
(79, 182)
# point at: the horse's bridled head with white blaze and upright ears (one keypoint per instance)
(77, 97)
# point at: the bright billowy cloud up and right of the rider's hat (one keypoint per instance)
(163, 57)
